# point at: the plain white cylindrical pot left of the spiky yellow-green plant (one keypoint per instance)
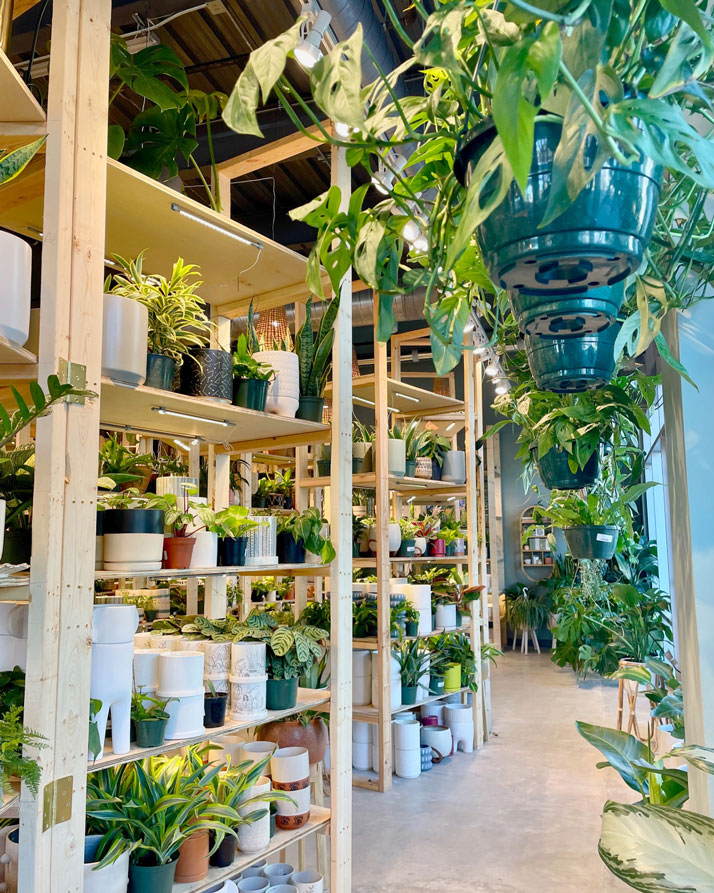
(125, 331)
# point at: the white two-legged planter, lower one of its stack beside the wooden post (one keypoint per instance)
(111, 683)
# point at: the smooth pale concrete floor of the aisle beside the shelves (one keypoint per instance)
(522, 814)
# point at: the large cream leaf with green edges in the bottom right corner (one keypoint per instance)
(658, 849)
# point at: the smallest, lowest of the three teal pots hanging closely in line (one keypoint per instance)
(569, 365)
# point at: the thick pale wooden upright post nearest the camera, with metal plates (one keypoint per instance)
(62, 574)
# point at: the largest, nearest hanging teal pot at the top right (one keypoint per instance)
(598, 240)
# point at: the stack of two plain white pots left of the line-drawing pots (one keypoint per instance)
(181, 679)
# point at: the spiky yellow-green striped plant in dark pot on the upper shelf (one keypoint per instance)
(177, 315)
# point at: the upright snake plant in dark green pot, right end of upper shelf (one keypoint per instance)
(314, 353)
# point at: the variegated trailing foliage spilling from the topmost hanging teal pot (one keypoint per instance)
(626, 80)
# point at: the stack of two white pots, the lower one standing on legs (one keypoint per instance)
(113, 628)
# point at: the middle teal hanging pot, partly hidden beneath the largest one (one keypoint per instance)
(560, 315)
